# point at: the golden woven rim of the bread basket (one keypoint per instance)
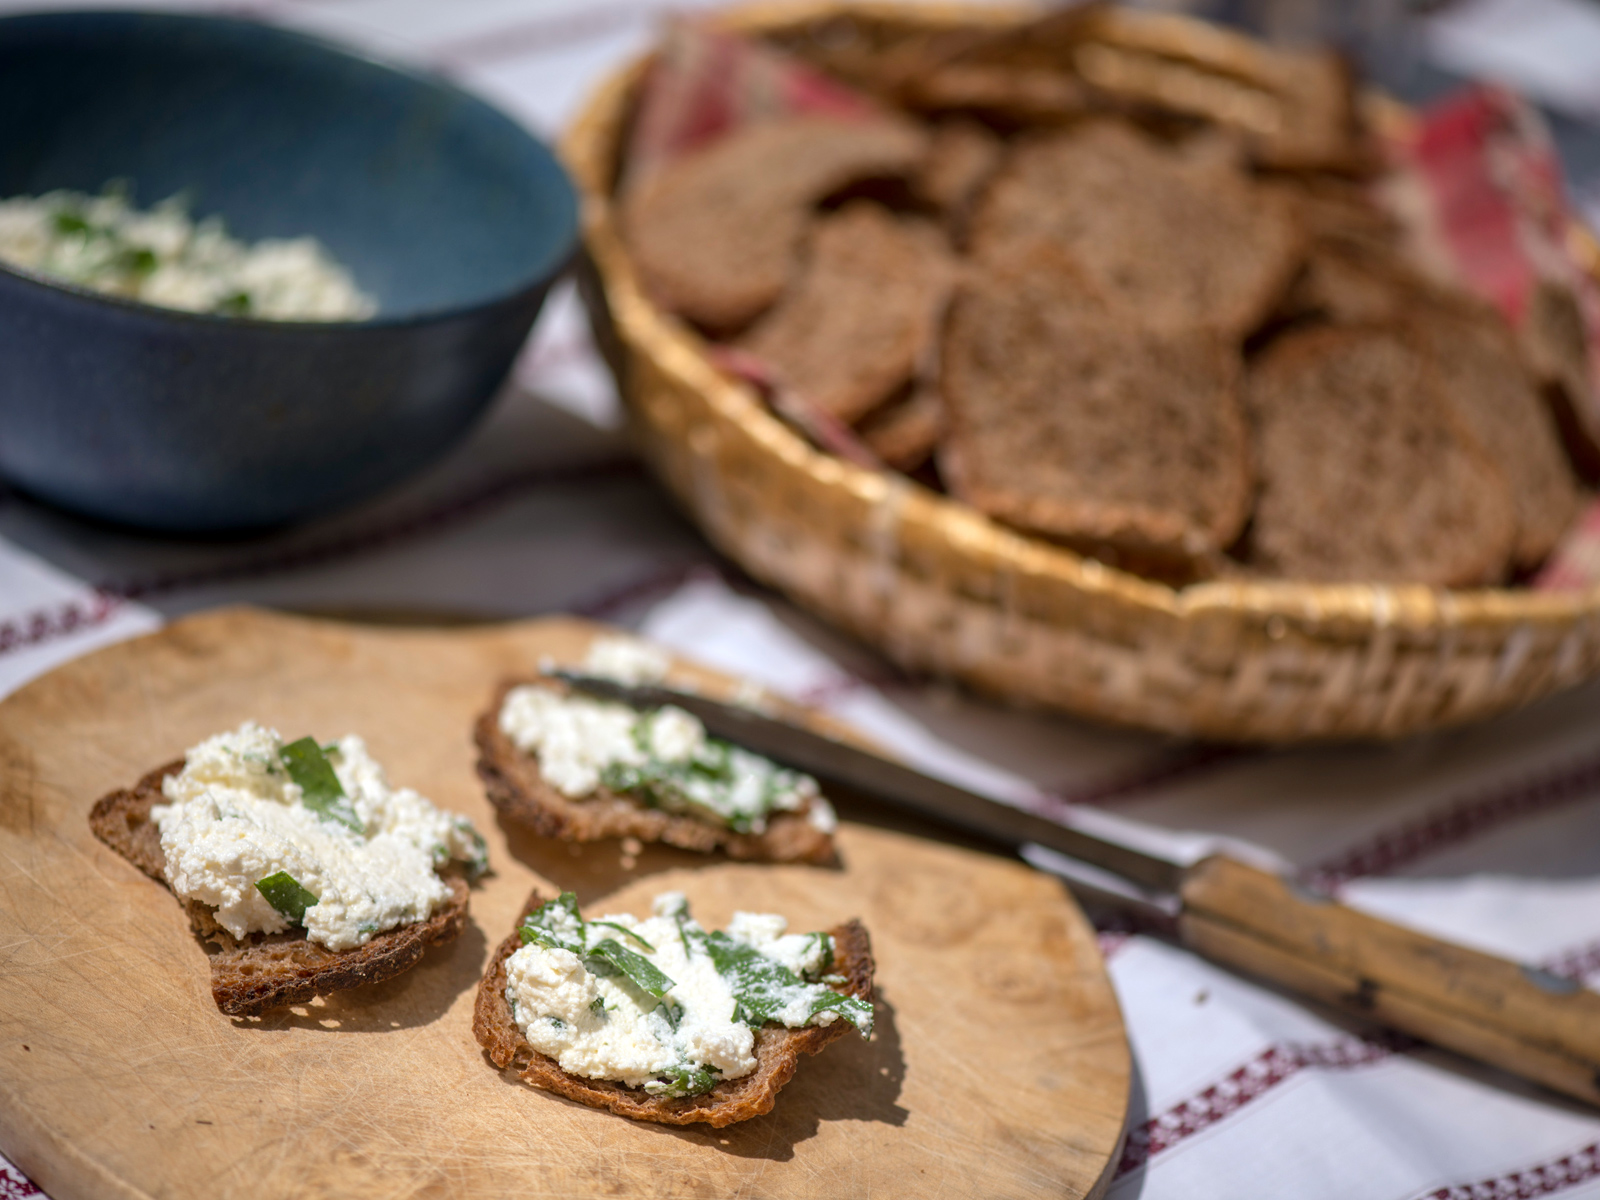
(678, 350)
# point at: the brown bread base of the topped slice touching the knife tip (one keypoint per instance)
(577, 809)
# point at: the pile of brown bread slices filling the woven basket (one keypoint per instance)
(1124, 294)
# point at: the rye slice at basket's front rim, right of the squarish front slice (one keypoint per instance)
(1366, 474)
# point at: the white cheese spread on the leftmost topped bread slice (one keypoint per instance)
(236, 818)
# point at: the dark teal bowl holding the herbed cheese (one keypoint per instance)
(444, 209)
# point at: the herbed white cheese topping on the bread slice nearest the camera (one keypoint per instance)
(662, 1004)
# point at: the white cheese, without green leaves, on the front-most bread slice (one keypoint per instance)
(607, 1028)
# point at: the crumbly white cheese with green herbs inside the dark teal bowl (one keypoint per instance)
(161, 257)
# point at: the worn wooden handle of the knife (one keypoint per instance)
(1518, 1018)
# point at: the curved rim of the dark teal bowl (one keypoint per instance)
(553, 265)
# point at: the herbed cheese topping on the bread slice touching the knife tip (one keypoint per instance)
(663, 758)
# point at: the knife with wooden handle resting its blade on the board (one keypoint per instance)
(1519, 1018)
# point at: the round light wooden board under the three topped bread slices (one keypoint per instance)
(999, 1066)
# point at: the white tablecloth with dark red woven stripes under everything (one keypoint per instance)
(1489, 836)
